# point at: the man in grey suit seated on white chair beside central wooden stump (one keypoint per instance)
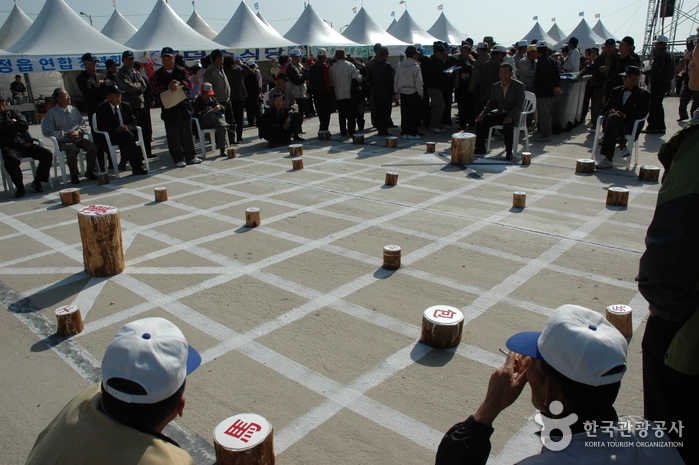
(503, 108)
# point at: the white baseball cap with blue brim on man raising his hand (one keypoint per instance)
(579, 343)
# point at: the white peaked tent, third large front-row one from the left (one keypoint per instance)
(245, 30)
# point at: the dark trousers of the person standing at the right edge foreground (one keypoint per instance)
(669, 395)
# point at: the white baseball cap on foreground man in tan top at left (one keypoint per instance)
(153, 353)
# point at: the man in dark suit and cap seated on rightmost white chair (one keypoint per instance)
(626, 104)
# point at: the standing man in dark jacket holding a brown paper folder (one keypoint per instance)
(177, 118)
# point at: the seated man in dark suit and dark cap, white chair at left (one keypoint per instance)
(117, 118)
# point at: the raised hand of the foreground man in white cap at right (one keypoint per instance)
(504, 387)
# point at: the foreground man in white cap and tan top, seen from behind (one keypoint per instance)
(120, 421)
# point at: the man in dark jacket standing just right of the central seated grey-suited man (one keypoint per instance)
(546, 85)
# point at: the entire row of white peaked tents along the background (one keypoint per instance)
(59, 31)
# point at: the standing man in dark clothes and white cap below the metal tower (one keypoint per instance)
(660, 74)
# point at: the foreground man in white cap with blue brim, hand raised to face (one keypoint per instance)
(574, 368)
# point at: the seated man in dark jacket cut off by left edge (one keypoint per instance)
(16, 143)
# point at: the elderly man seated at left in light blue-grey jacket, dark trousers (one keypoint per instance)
(66, 124)
